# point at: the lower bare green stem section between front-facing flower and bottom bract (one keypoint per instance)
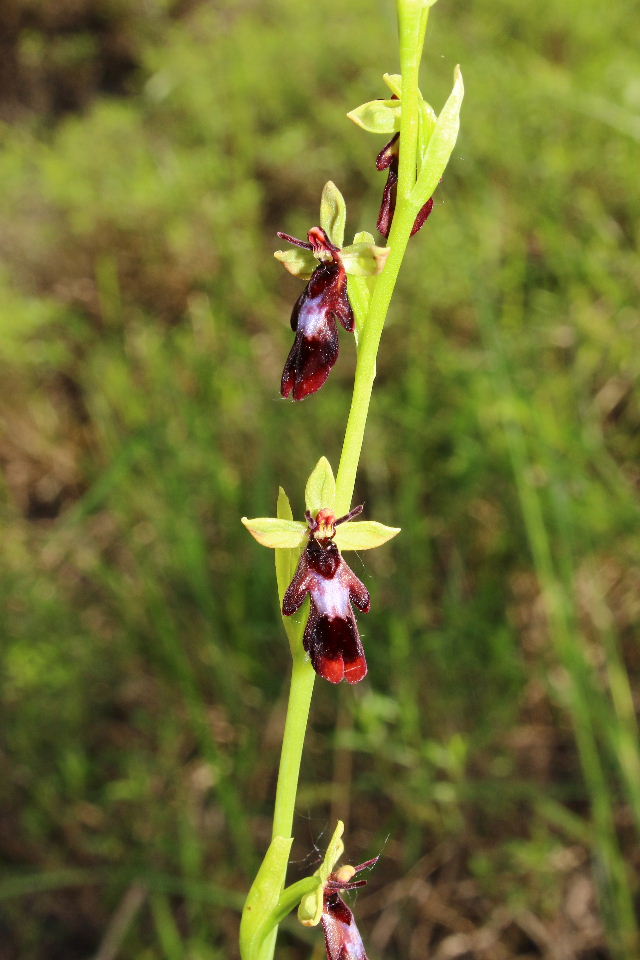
(300, 693)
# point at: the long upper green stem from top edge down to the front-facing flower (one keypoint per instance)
(412, 23)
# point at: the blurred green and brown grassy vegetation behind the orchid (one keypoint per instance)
(148, 154)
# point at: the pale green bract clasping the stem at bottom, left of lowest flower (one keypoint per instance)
(260, 909)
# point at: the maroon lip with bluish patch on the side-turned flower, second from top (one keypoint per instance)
(313, 319)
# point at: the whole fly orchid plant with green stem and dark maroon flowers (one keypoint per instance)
(351, 285)
